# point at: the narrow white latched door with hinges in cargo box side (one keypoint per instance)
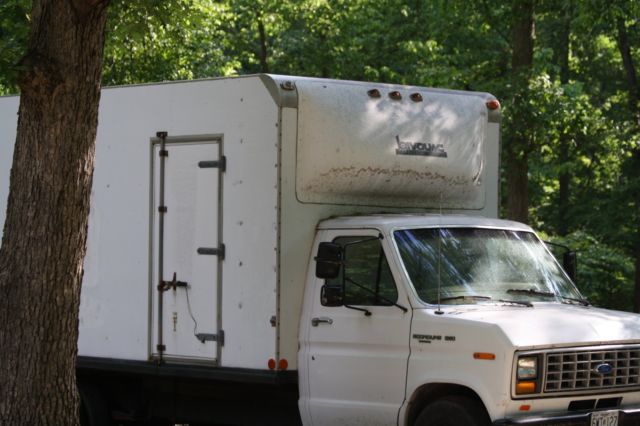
(186, 249)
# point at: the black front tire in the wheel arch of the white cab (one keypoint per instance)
(453, 411)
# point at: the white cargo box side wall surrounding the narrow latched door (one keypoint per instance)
(116, 313)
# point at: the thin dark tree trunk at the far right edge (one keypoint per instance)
(634, 107)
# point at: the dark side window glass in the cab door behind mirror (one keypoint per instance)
(366, 274)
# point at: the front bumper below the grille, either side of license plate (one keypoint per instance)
(627, 417)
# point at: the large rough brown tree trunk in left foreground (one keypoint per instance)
(43, 243)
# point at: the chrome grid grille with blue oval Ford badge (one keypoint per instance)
(578, 370)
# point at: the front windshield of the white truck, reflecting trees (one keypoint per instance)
(481, 265)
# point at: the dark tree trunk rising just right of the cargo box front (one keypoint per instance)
(518, 147)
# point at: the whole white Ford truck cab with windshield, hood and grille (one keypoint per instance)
(456, 320)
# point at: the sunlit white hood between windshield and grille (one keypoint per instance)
(555, 325)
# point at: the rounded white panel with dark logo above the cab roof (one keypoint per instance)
(358, 149)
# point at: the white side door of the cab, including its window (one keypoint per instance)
(356, 349)
